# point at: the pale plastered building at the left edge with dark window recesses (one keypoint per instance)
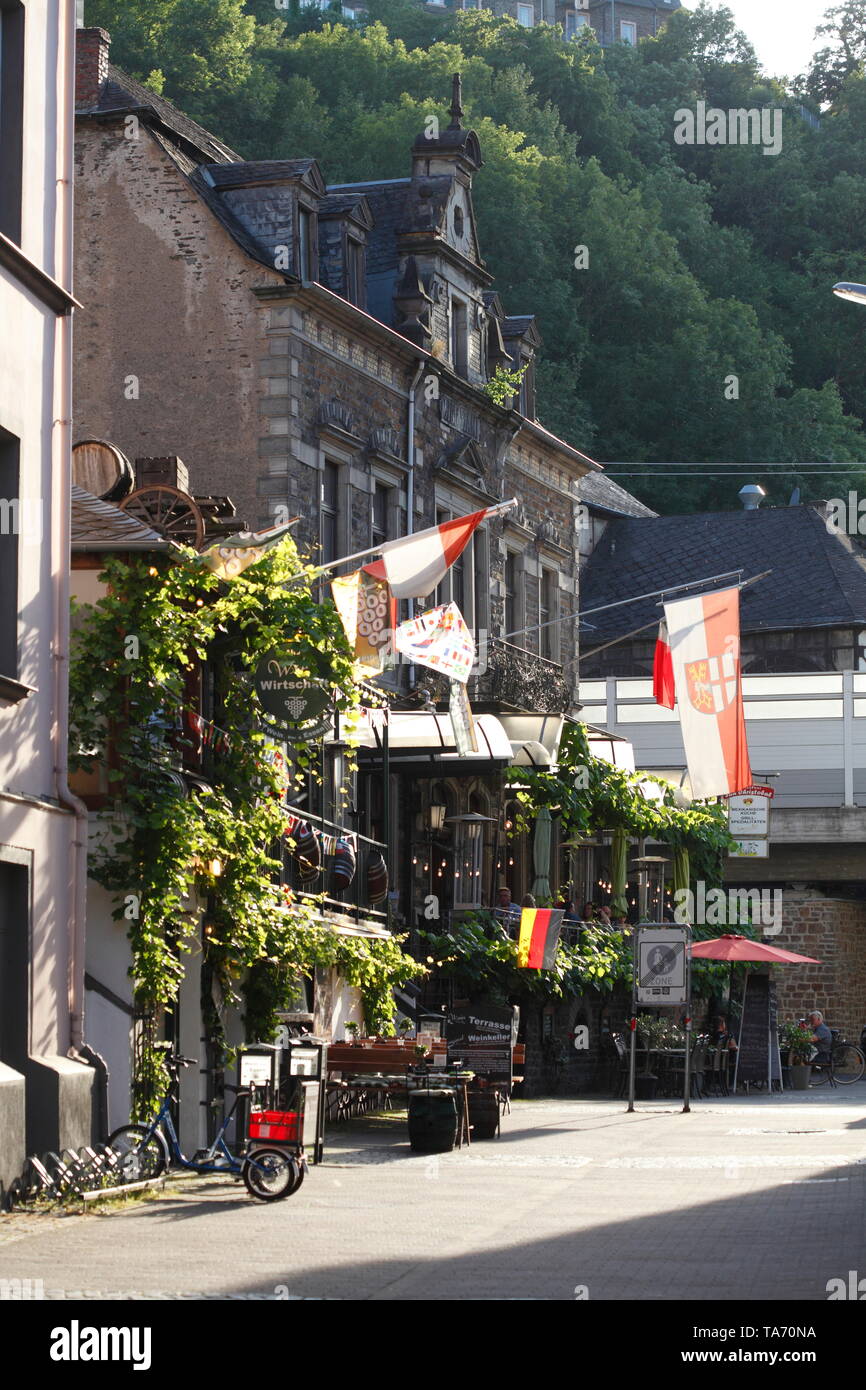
(47, 1084)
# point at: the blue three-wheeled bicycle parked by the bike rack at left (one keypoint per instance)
(148, 1150)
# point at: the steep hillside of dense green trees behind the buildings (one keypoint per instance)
(705, 263)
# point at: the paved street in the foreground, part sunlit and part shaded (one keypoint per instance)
(757, 1199)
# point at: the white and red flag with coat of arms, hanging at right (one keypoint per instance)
(704, 636)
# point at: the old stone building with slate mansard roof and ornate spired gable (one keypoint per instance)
(325, 352)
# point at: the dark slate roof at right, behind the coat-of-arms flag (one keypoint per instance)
(818, 579)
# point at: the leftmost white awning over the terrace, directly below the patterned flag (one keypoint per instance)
(429, 742)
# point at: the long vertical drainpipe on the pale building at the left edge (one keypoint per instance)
(62, 480)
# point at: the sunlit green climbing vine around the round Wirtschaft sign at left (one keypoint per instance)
(168, 851)
